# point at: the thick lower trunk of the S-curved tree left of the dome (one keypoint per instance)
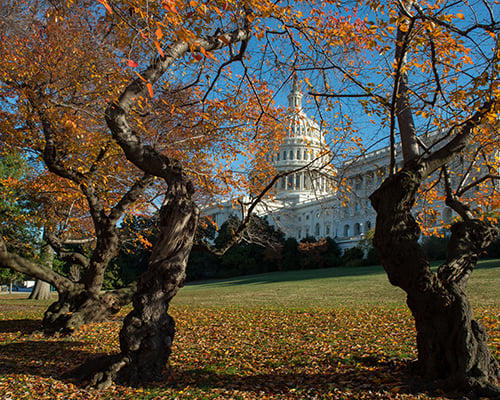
(148, 330)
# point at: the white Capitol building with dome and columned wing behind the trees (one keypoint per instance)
(316, 199)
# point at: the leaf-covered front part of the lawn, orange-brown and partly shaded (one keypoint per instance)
(223, 353)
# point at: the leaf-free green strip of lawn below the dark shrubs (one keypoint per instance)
(329, 287)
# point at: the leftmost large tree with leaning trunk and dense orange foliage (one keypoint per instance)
(51, 89)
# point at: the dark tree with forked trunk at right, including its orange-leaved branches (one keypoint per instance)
(445, 78)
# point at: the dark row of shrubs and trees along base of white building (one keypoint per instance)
(266, 250)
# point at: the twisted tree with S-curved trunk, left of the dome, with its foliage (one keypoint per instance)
(190, 41)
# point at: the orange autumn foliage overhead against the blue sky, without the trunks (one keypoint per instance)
(227, 118)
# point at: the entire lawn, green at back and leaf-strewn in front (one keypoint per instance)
(342, 333)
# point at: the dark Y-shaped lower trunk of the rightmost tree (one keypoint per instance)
(453, 351)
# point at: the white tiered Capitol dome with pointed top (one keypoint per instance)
(303, 153)
